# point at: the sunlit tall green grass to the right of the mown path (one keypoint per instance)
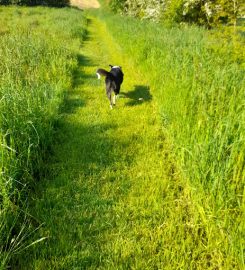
(198, 81)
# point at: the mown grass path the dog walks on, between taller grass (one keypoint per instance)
(101, 203)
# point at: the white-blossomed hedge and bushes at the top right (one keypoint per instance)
(202, 12)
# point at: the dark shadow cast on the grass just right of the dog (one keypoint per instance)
(139, 95)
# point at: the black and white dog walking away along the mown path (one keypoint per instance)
(113, 81)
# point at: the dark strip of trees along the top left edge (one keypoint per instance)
(54, 3)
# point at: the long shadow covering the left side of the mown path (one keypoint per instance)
(83, 183)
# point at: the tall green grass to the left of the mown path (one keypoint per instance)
(38, 51)
